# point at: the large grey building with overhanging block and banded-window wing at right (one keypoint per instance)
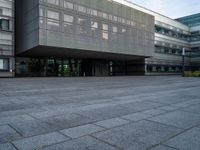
(100, 38)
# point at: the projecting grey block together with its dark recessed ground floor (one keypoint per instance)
(89, 37)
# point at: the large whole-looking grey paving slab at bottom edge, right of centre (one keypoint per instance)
(144, 134)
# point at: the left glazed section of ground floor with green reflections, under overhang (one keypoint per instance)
(48, 67)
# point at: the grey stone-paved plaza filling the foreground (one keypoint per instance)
(108, 113)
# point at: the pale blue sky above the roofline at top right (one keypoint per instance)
(171, 8)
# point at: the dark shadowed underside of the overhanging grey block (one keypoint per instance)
(45, 51)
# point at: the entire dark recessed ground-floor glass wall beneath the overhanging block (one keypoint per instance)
(67, 67)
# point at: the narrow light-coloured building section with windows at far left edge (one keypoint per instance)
(7, 61)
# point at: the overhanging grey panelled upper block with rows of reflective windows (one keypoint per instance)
(86, 28)
